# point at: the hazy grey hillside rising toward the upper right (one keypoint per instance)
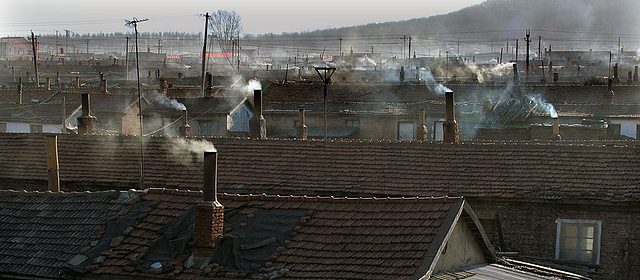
(594, 21)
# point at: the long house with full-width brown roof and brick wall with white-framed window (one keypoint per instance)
(524, 193)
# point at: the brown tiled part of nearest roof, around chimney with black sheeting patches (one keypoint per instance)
(332, 238)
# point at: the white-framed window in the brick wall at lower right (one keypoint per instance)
(578, 240)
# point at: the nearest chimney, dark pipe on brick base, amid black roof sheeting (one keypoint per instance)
(209, 214)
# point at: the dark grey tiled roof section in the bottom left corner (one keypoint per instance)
(40, 232)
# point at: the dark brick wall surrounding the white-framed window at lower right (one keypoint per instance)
(530, 229)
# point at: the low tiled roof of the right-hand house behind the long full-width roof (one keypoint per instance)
(413, 92)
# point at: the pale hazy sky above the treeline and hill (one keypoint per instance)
(19, 17)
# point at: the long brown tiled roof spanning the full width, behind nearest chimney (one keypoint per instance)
(554, 170)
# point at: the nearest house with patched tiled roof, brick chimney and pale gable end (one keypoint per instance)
(155, 234)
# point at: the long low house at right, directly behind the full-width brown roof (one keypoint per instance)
(391, 111)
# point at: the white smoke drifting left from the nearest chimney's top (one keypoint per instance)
(186, 151)
